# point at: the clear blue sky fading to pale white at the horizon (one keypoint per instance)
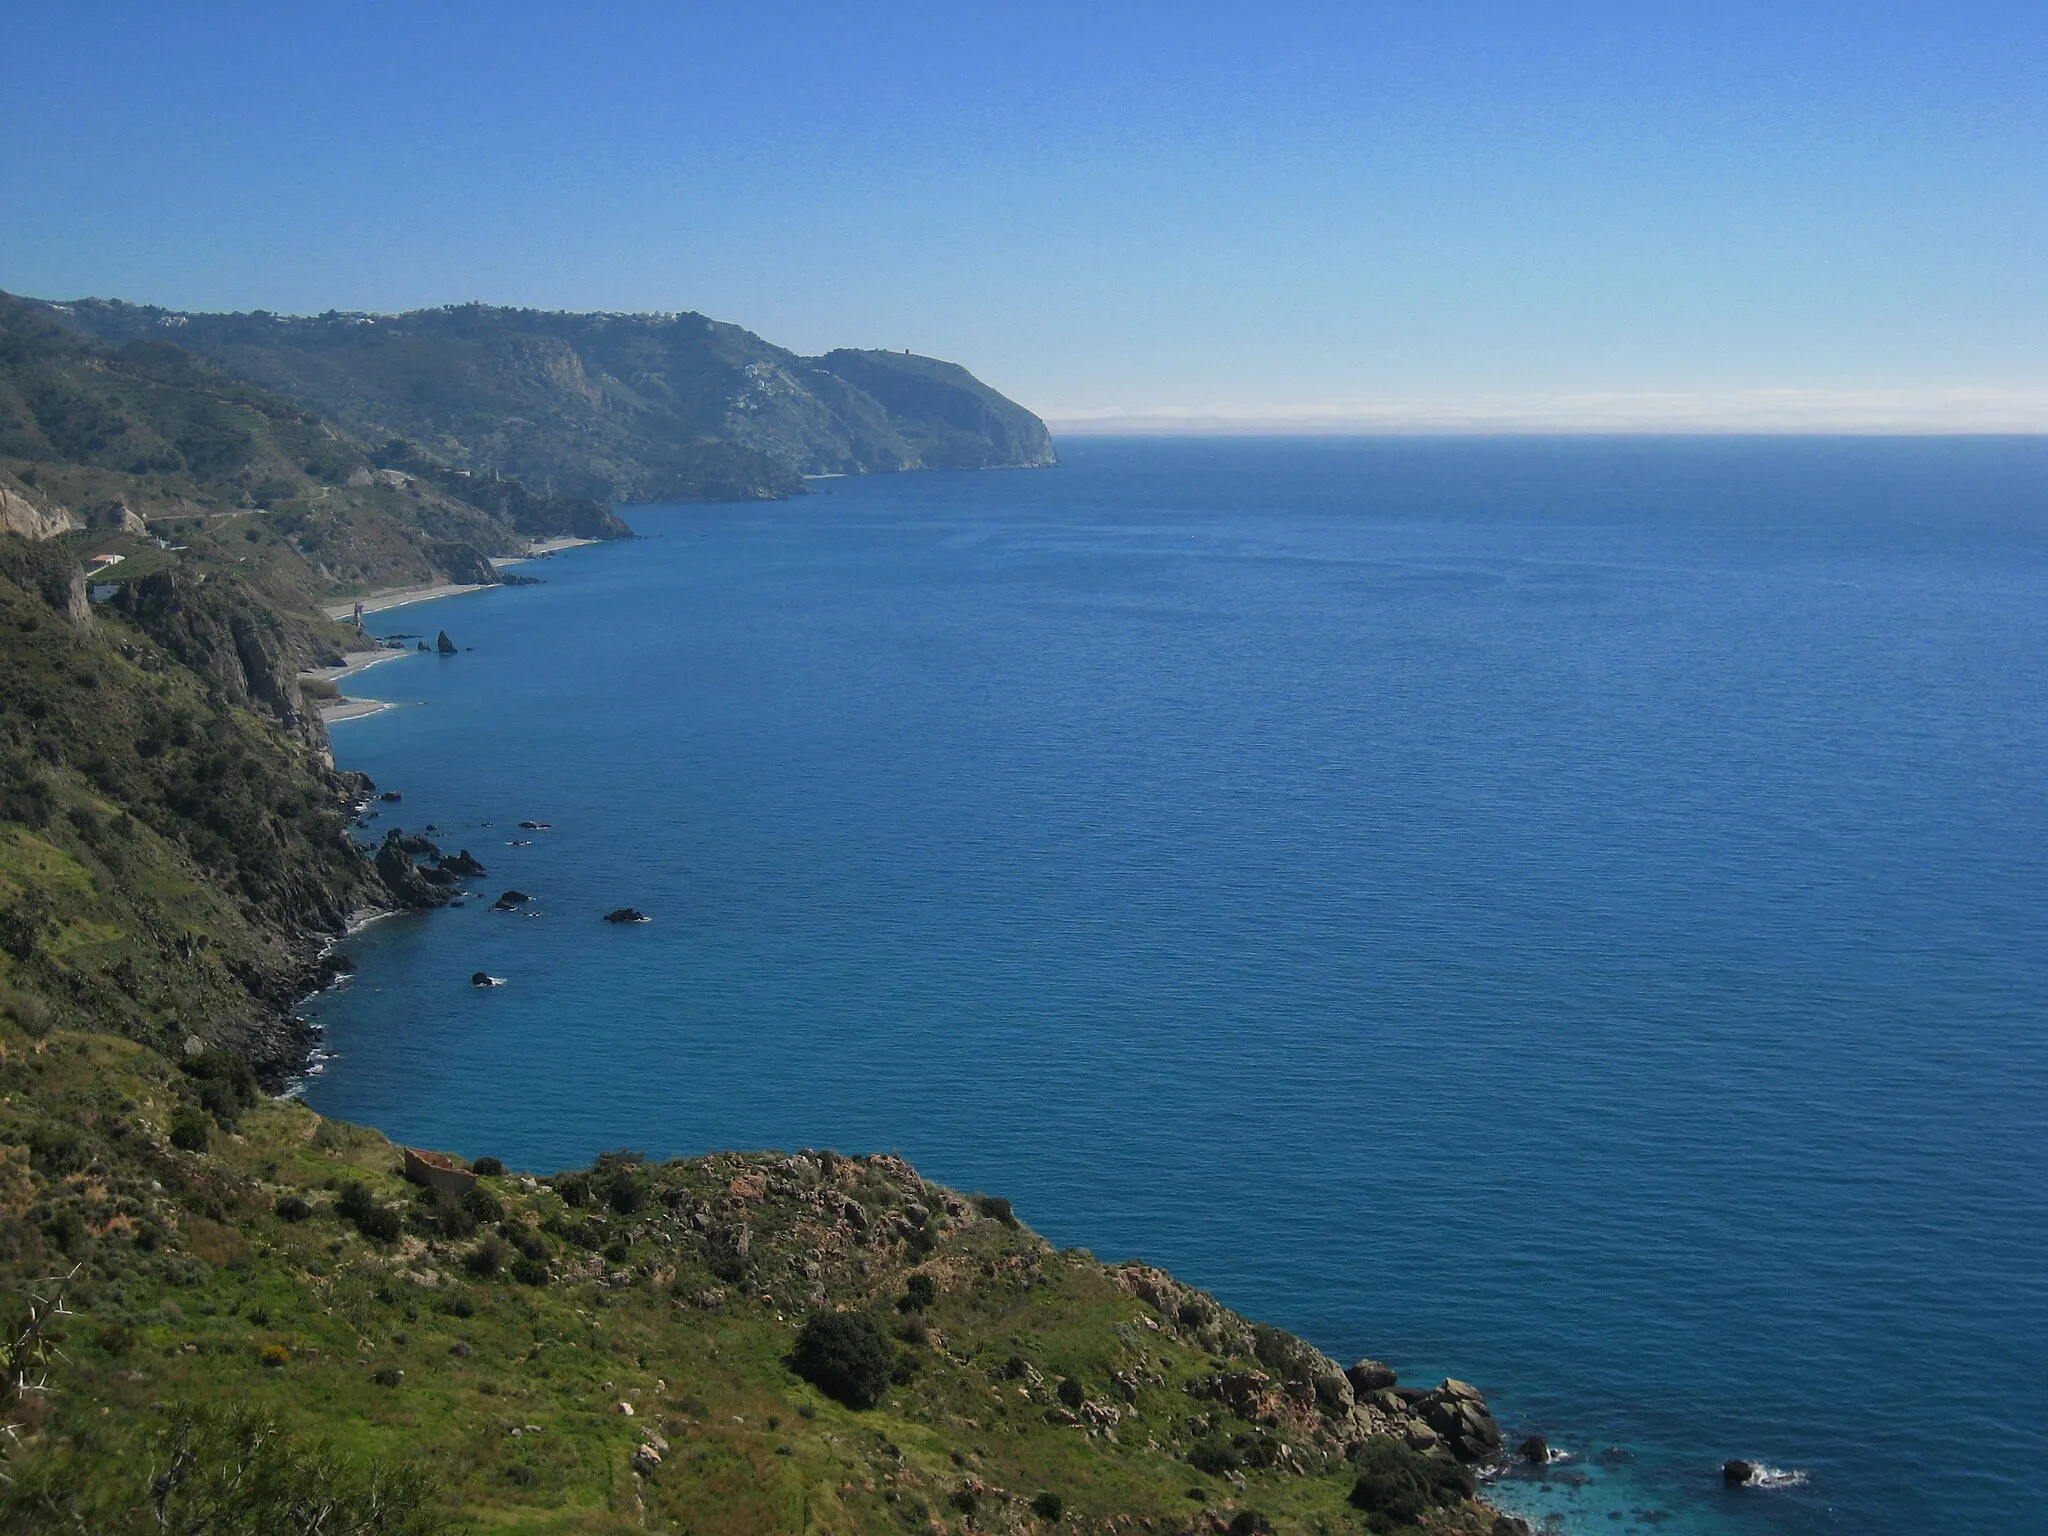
(1123, 214)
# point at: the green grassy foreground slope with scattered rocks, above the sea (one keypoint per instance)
(509, 1394)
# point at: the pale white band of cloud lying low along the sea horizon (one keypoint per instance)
(1740, 413)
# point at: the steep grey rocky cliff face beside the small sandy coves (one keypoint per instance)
(230, 638)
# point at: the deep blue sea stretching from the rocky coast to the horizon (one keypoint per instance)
(1568, 914)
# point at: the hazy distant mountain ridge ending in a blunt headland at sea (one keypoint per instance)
(626, 409)
